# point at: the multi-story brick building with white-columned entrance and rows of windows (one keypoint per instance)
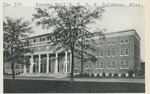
(117, 52)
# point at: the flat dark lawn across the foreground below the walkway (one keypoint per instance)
(40, 86)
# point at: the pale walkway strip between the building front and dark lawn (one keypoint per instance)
(57, 77)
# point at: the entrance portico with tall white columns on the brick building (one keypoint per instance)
(58, 62)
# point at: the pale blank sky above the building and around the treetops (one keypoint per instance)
(114, 19)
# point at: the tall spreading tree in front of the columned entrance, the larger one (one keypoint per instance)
(70, 24)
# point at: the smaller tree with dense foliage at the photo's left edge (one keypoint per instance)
(14, 48)
